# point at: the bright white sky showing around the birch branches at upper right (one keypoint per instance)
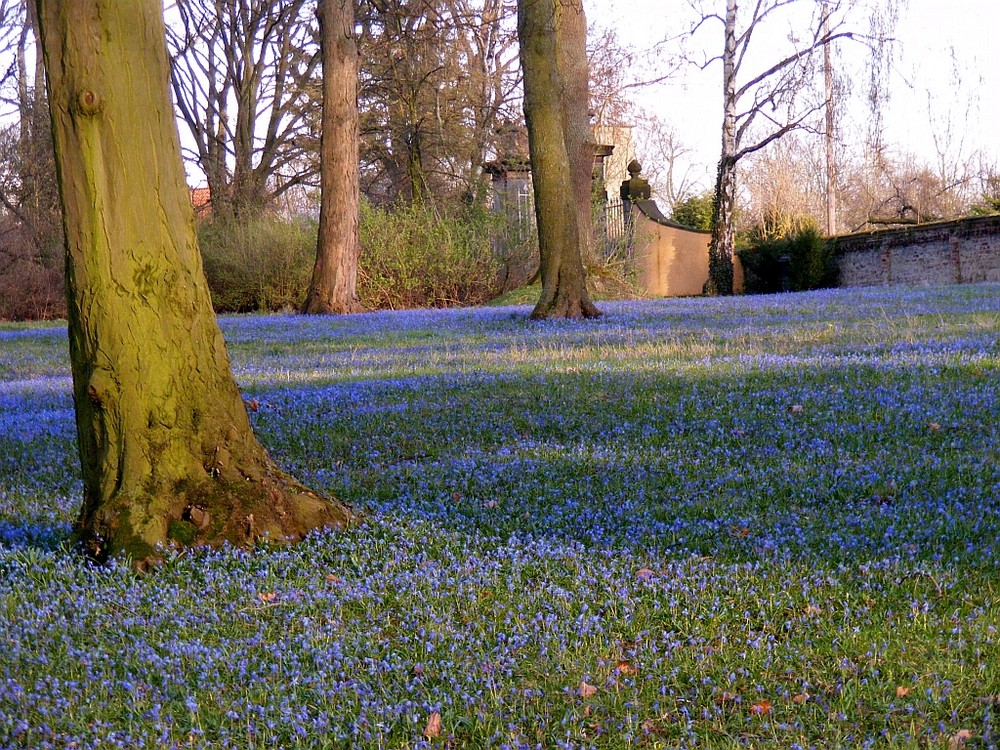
(947, 48)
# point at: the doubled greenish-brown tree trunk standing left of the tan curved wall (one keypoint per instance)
(552, 36)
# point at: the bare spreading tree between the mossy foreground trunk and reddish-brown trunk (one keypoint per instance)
(241, 74)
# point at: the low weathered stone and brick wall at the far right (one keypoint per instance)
(951, 252)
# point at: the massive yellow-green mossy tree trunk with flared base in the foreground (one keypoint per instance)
(166, 448)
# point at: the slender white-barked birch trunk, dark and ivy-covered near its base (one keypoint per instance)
(720, 250)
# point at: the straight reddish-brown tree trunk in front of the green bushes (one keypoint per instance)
(335, 275)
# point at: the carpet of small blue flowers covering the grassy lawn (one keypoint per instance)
(747, 522)
